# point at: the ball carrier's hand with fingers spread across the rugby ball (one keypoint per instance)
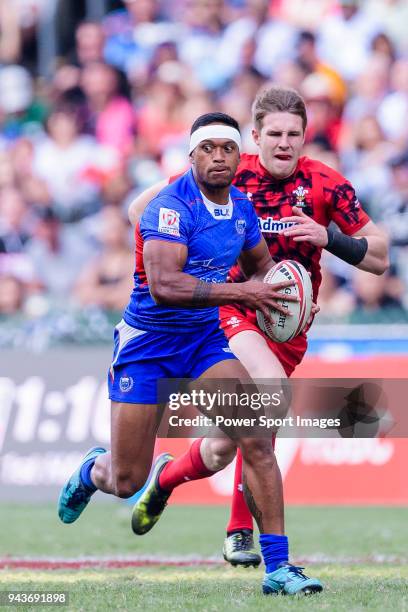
(264, 296)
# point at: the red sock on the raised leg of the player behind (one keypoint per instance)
(189, 466)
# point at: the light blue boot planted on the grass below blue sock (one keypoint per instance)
(290, 580)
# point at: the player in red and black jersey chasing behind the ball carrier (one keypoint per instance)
(295, 199)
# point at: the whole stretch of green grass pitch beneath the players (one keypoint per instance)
(359, 553)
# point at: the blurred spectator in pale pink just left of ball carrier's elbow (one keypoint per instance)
(106, 281)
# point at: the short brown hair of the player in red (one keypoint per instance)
(278, 99)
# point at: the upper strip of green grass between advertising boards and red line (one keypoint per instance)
(336, 531)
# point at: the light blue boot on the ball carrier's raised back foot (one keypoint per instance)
(75, 496)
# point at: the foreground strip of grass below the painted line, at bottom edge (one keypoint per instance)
(362, 588)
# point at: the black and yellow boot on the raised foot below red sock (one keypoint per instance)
(150, 505)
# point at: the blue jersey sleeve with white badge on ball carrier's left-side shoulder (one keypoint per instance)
(166, 218)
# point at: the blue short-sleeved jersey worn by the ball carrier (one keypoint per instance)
(214, 234)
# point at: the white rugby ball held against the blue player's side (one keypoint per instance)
(287, 327)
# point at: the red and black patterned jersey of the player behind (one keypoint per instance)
(322, 193)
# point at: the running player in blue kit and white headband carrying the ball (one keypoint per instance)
(189, 237)
